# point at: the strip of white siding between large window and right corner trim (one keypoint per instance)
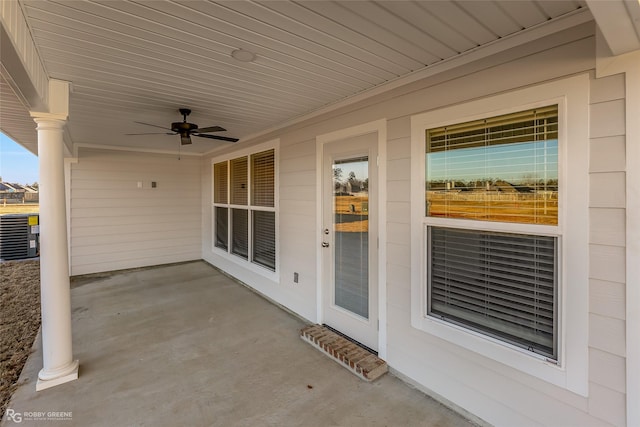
(608, 243)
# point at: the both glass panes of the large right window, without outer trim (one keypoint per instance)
(498, 169)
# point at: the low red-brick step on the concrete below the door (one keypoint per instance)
(350, 355)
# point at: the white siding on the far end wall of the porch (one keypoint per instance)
(119, 221)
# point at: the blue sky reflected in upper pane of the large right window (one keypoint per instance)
(509, 162)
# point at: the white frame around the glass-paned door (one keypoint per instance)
(379, 127)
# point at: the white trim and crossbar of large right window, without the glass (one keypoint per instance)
(572, 96)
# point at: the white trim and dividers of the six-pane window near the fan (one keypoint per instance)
(247, 264)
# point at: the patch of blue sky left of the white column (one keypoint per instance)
(17, 164)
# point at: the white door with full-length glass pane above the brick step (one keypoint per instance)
(349, 253)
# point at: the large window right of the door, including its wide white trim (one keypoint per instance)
(500, 229)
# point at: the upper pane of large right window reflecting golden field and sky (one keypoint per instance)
(500, 169)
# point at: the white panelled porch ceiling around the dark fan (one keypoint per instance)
(140, 61)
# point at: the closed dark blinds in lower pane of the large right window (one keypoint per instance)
(500, 284)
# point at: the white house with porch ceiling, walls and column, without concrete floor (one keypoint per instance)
(520, 308)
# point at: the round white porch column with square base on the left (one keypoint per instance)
(57, 358)
